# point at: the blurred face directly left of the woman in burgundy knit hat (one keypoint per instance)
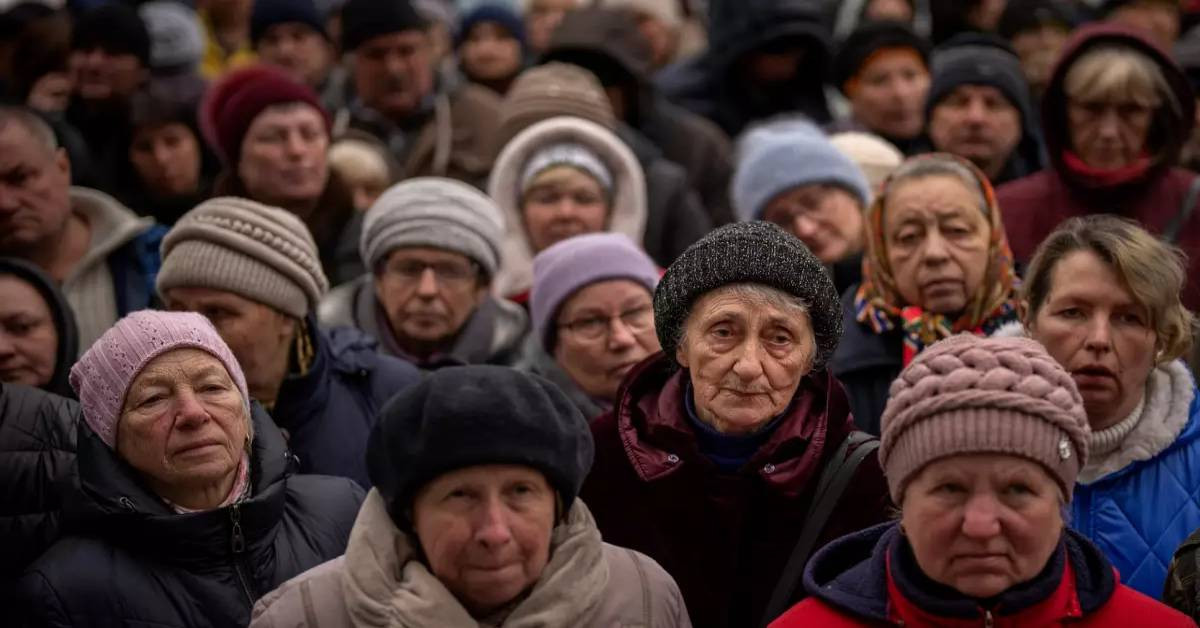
(167, 159)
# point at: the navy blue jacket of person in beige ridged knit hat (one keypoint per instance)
(329, 411)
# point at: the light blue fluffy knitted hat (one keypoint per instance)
(773, 162)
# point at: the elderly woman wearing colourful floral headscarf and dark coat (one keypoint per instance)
(938, 264)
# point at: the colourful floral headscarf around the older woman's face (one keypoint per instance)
(880, 307)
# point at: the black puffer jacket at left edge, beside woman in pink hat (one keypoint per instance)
(38, 444)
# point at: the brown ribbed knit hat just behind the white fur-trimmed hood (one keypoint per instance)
(551, 91)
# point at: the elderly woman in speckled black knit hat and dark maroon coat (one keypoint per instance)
(719, 444)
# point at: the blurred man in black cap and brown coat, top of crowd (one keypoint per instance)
(430, 129)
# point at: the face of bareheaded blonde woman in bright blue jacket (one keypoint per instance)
(1096, 330)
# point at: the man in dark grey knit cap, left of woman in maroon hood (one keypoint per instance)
(980, 109)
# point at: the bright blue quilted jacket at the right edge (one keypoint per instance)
(1142, 513)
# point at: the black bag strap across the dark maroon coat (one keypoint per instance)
(832, 485)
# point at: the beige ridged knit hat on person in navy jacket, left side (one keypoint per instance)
(260, 253)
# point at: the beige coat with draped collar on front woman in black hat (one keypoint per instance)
(380, 584)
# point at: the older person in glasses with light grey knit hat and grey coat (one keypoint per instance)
(433, 248)
